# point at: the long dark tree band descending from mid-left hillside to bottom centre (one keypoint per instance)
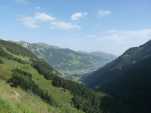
(83, 98)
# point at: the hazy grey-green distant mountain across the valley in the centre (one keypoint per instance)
(68, 61)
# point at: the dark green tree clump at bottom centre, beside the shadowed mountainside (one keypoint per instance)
(83, 98)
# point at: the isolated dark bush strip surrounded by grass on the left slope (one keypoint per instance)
(24, 80)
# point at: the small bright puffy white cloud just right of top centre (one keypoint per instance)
(78, 15)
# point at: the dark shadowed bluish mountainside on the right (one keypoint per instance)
(127, 79)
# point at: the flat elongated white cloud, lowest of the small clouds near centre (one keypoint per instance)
(65, 25)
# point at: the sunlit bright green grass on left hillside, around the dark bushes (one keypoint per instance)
(16, 100)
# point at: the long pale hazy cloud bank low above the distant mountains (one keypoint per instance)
(112, 41)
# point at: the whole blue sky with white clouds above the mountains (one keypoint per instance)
(110, 26)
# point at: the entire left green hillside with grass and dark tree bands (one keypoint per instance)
(29, 85)
